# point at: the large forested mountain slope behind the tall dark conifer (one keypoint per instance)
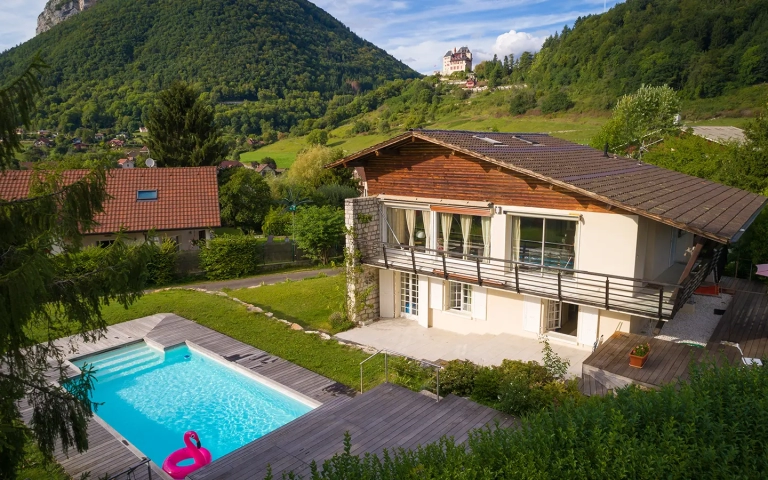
(289, 57)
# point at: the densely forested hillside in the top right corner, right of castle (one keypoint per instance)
(701, 48)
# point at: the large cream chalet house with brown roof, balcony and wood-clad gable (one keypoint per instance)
(528, 234)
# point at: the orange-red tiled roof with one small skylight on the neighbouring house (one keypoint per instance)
(186, 197)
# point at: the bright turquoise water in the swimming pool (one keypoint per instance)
(152, 397)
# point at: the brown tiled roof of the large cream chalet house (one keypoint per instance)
(689, 203)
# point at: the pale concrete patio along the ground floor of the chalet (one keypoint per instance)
(407, 337)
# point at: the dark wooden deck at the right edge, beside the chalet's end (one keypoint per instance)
(746, 320)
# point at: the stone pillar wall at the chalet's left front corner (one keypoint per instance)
(362, 217)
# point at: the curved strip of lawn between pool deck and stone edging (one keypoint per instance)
(326, 357)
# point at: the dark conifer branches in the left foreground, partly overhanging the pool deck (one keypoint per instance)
(44, 296)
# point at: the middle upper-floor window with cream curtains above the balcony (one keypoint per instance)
(464, 234)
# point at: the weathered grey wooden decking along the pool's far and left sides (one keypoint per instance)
(109, 453)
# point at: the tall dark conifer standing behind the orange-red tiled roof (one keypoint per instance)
(182, 130)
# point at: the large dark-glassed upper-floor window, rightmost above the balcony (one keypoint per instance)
(544, 241)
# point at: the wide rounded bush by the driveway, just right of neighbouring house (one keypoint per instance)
(230, 256)
